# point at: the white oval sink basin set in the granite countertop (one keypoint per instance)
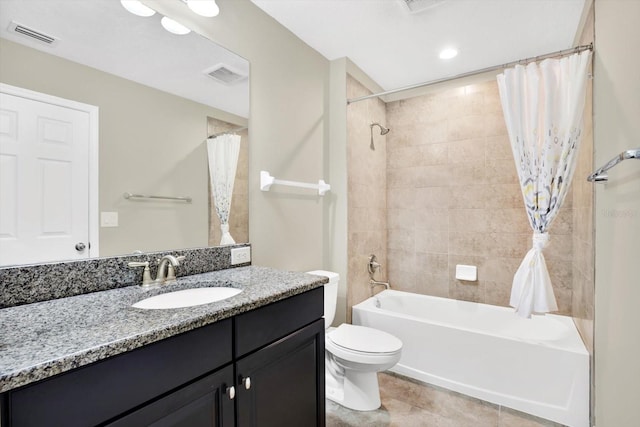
(187, 298)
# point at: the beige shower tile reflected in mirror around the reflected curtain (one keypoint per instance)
(239, 213)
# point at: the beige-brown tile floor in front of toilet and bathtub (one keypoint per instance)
(410, 403)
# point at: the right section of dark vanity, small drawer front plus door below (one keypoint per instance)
(282, 383)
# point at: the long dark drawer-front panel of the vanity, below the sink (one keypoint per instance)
(94, 394)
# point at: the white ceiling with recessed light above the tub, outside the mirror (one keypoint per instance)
(397, 48)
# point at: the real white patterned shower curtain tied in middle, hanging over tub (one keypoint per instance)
(543, 105)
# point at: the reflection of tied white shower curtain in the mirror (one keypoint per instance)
(223, 154)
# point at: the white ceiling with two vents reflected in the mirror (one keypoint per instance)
(103, 35)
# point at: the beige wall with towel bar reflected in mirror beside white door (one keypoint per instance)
(150, 142)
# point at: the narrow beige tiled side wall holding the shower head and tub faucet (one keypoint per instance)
(367, 190)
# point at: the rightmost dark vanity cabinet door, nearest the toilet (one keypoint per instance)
(283, 383)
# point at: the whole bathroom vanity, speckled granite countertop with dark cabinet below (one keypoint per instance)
(256, 359)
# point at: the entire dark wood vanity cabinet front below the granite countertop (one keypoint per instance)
(261, 368)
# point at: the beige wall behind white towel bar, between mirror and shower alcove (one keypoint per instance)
(289, 127)
